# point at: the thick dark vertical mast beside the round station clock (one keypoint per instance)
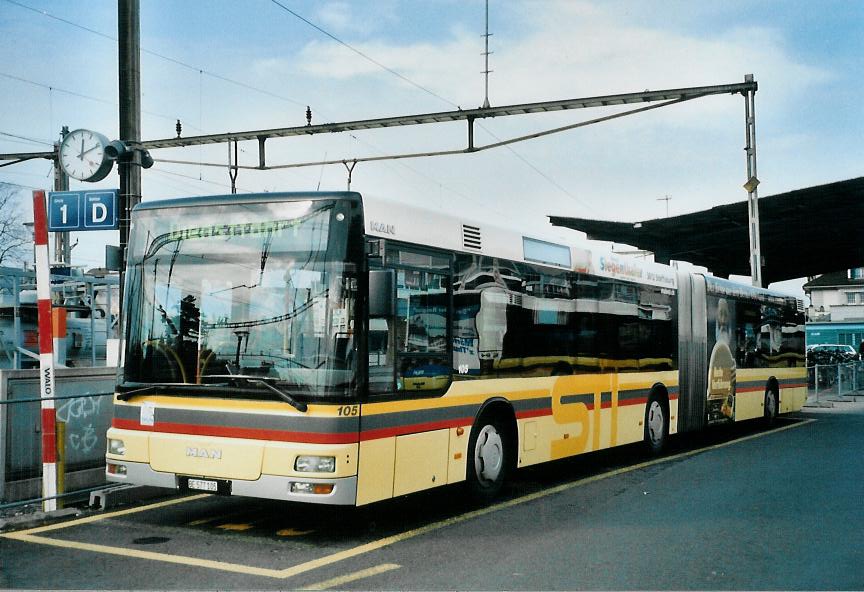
(129, 58)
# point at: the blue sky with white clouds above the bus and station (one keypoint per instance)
(222, 66)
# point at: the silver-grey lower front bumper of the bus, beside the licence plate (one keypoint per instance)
(266, 486)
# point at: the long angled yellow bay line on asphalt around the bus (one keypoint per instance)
(27, 535)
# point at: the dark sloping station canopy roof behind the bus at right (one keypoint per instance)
(805, 232)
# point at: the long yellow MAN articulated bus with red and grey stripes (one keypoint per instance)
(337, 349)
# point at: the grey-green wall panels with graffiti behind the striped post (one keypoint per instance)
(83, 412)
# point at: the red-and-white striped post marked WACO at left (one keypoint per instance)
(46, 354)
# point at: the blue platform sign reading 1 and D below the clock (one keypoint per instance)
(72, 211)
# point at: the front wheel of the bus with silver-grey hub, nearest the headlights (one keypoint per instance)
(488, 458)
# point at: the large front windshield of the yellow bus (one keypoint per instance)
(263, 291)
